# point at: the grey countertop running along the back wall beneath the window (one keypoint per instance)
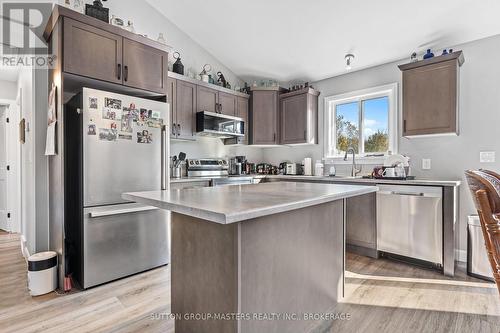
(324, 179)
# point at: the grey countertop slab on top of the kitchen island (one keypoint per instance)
(236, 203)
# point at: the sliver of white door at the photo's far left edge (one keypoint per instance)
(3, 169)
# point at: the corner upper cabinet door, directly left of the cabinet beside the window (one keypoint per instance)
(264, 129)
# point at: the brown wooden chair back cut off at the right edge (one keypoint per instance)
(485, 188)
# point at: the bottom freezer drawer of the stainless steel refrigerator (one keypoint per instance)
(121, 240)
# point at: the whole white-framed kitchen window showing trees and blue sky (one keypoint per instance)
(365, 120)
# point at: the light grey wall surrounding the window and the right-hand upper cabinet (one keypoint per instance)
(479, 119)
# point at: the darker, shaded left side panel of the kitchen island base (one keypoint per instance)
(204, 273)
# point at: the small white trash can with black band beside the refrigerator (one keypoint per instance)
(42, 273)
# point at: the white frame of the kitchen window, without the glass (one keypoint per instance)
(330, 152)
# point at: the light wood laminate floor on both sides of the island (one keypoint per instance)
(382, 296)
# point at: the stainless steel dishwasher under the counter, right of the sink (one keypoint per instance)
(410, 222)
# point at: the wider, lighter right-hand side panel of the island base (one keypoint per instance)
(291, 262)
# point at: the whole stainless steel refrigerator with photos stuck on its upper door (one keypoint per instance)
(114, 144)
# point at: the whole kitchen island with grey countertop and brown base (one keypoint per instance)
(256, 258)
